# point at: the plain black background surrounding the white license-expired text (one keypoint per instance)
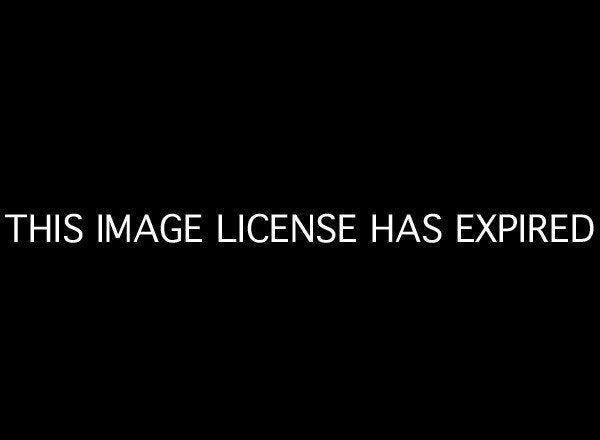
(368, 113)
